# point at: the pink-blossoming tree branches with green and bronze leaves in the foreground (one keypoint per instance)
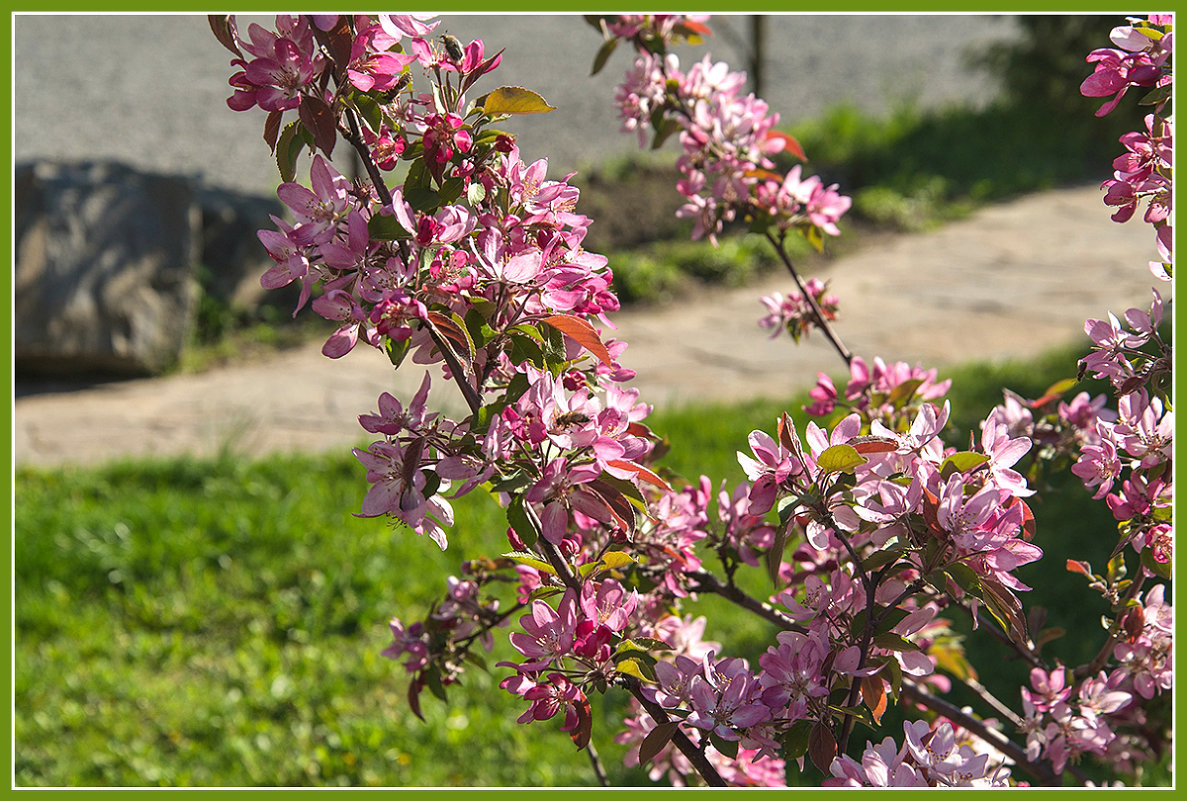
(454, 253)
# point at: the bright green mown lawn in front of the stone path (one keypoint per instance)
(220, 622)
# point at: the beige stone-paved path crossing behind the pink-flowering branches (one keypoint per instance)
(1011, 282)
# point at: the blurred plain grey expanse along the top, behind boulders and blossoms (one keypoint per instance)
(150, 90)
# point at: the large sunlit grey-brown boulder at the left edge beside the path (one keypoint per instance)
(106, 259)
